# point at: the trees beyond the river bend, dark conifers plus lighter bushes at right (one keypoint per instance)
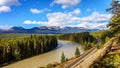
(84, 38)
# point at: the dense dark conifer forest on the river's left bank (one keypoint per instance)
(15, 49)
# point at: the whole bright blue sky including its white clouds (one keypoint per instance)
(34, 13)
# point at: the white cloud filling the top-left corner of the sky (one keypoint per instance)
(5, 5)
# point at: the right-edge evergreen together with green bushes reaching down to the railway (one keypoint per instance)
(114, 24)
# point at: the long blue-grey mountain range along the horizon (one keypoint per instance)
(47, 30)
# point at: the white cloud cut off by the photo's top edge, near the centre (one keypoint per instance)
(66, 3)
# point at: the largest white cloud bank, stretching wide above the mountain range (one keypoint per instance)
(94, 21)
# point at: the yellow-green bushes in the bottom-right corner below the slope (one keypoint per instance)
(109, 61)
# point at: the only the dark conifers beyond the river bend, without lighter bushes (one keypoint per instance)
(77, 37)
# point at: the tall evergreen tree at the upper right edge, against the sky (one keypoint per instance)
(114, 23)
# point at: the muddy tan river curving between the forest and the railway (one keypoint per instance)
(50, 57)
